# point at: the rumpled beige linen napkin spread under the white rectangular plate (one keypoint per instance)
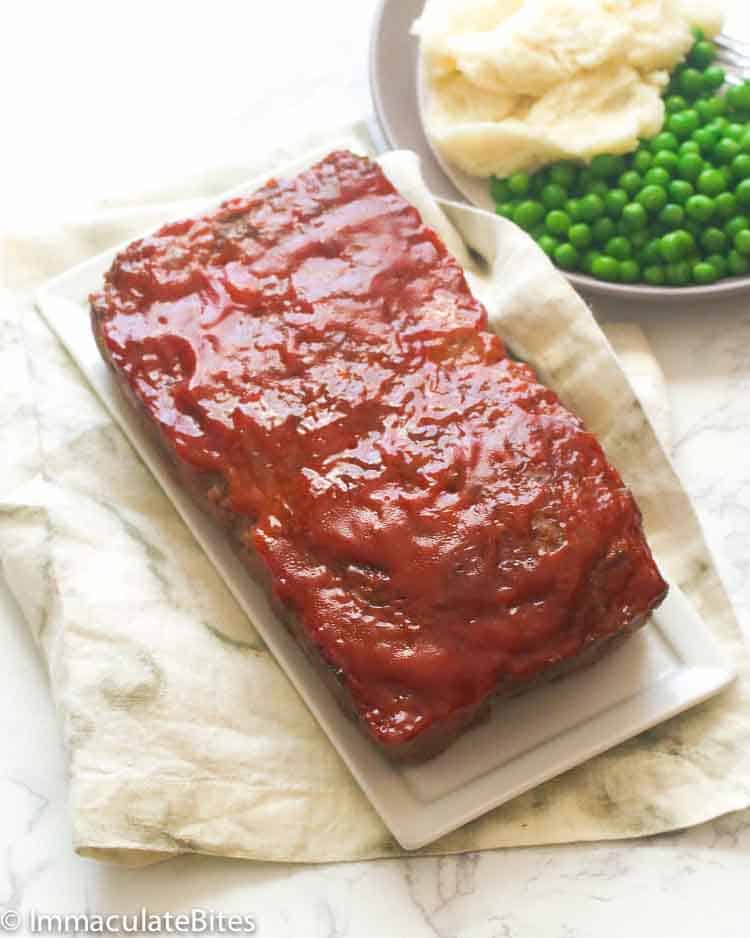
(183, 734)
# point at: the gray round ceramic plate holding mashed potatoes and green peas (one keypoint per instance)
(393, 83)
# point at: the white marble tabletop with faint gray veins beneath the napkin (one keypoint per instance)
(280, 71)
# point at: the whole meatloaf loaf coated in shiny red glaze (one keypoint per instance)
(428, 518)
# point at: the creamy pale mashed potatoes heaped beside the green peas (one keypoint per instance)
(514, 84)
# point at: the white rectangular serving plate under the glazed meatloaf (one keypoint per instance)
(667, 667)
